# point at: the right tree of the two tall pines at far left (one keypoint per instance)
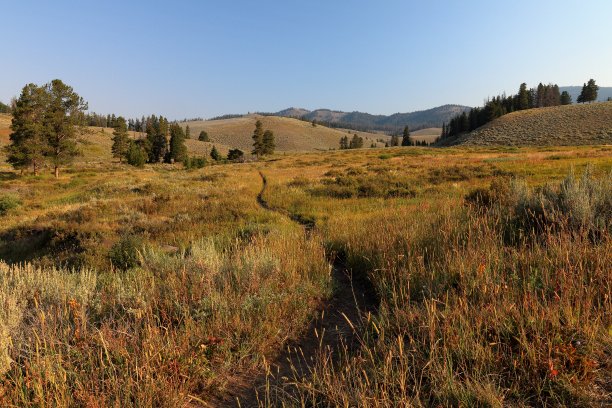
(62, 117)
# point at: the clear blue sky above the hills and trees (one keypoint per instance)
(206, 58)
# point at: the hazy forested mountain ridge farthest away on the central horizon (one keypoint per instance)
(428, 118)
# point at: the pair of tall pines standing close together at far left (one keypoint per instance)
(44, 126)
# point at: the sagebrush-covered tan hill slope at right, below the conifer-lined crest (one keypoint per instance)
(584, 124)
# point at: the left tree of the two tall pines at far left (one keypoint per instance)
(28, 144)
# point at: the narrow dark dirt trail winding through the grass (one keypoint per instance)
(331, 328)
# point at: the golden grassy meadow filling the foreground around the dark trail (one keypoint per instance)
(166, 287)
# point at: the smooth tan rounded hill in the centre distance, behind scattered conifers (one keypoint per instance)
(290, 134)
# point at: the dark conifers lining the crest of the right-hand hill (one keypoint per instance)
(540, 97)
